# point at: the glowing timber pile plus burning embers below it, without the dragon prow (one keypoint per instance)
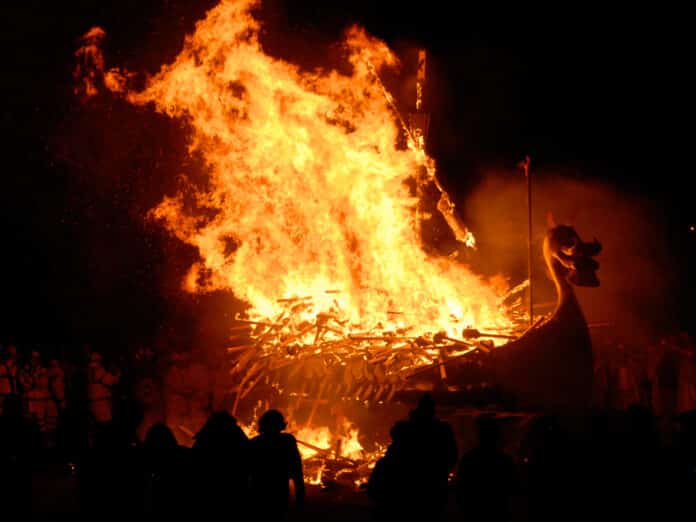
(308, 366)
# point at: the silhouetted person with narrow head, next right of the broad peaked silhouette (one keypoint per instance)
(486, 477)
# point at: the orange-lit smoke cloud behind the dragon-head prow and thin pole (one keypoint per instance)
(638, 283)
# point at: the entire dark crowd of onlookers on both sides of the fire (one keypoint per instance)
(132, 453)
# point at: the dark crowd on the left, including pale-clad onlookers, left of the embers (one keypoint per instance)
(92, 428)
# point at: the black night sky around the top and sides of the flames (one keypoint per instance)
(603, 92)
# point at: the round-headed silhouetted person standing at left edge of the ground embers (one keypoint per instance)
(275, 460)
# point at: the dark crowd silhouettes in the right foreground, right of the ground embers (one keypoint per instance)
(618, 466)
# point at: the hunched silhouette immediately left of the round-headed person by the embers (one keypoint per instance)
(221, 453)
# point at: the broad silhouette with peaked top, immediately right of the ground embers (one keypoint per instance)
(412, 478)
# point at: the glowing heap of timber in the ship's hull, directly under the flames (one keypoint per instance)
(329, 359)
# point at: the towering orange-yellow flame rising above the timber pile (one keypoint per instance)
(306, 192)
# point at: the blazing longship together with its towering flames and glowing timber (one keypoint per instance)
(308, 215)
